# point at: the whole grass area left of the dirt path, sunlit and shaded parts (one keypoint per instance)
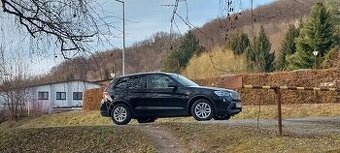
(71, 132)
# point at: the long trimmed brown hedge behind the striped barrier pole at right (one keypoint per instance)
(301, 78)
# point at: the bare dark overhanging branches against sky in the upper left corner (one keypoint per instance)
(70, 23)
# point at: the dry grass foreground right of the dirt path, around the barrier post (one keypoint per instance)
(223, 138)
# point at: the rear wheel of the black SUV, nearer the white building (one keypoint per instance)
(121, 114)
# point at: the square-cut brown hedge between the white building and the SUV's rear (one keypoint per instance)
(92, 98)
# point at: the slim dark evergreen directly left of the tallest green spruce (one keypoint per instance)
(287, 48)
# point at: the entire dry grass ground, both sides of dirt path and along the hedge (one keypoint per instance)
(88, 132)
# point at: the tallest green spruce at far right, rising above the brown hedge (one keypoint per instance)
(316, 34)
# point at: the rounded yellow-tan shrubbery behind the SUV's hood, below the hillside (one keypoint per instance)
(224, 60)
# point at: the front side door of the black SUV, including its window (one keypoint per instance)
(162, 99)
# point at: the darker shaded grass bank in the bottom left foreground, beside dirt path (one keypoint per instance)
(74, 139)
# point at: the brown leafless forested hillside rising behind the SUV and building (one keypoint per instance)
(148, 55)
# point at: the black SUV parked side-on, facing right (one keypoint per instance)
(148, 96)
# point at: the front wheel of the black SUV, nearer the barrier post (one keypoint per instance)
(202, 110)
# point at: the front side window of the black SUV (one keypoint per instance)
(159, 81)
